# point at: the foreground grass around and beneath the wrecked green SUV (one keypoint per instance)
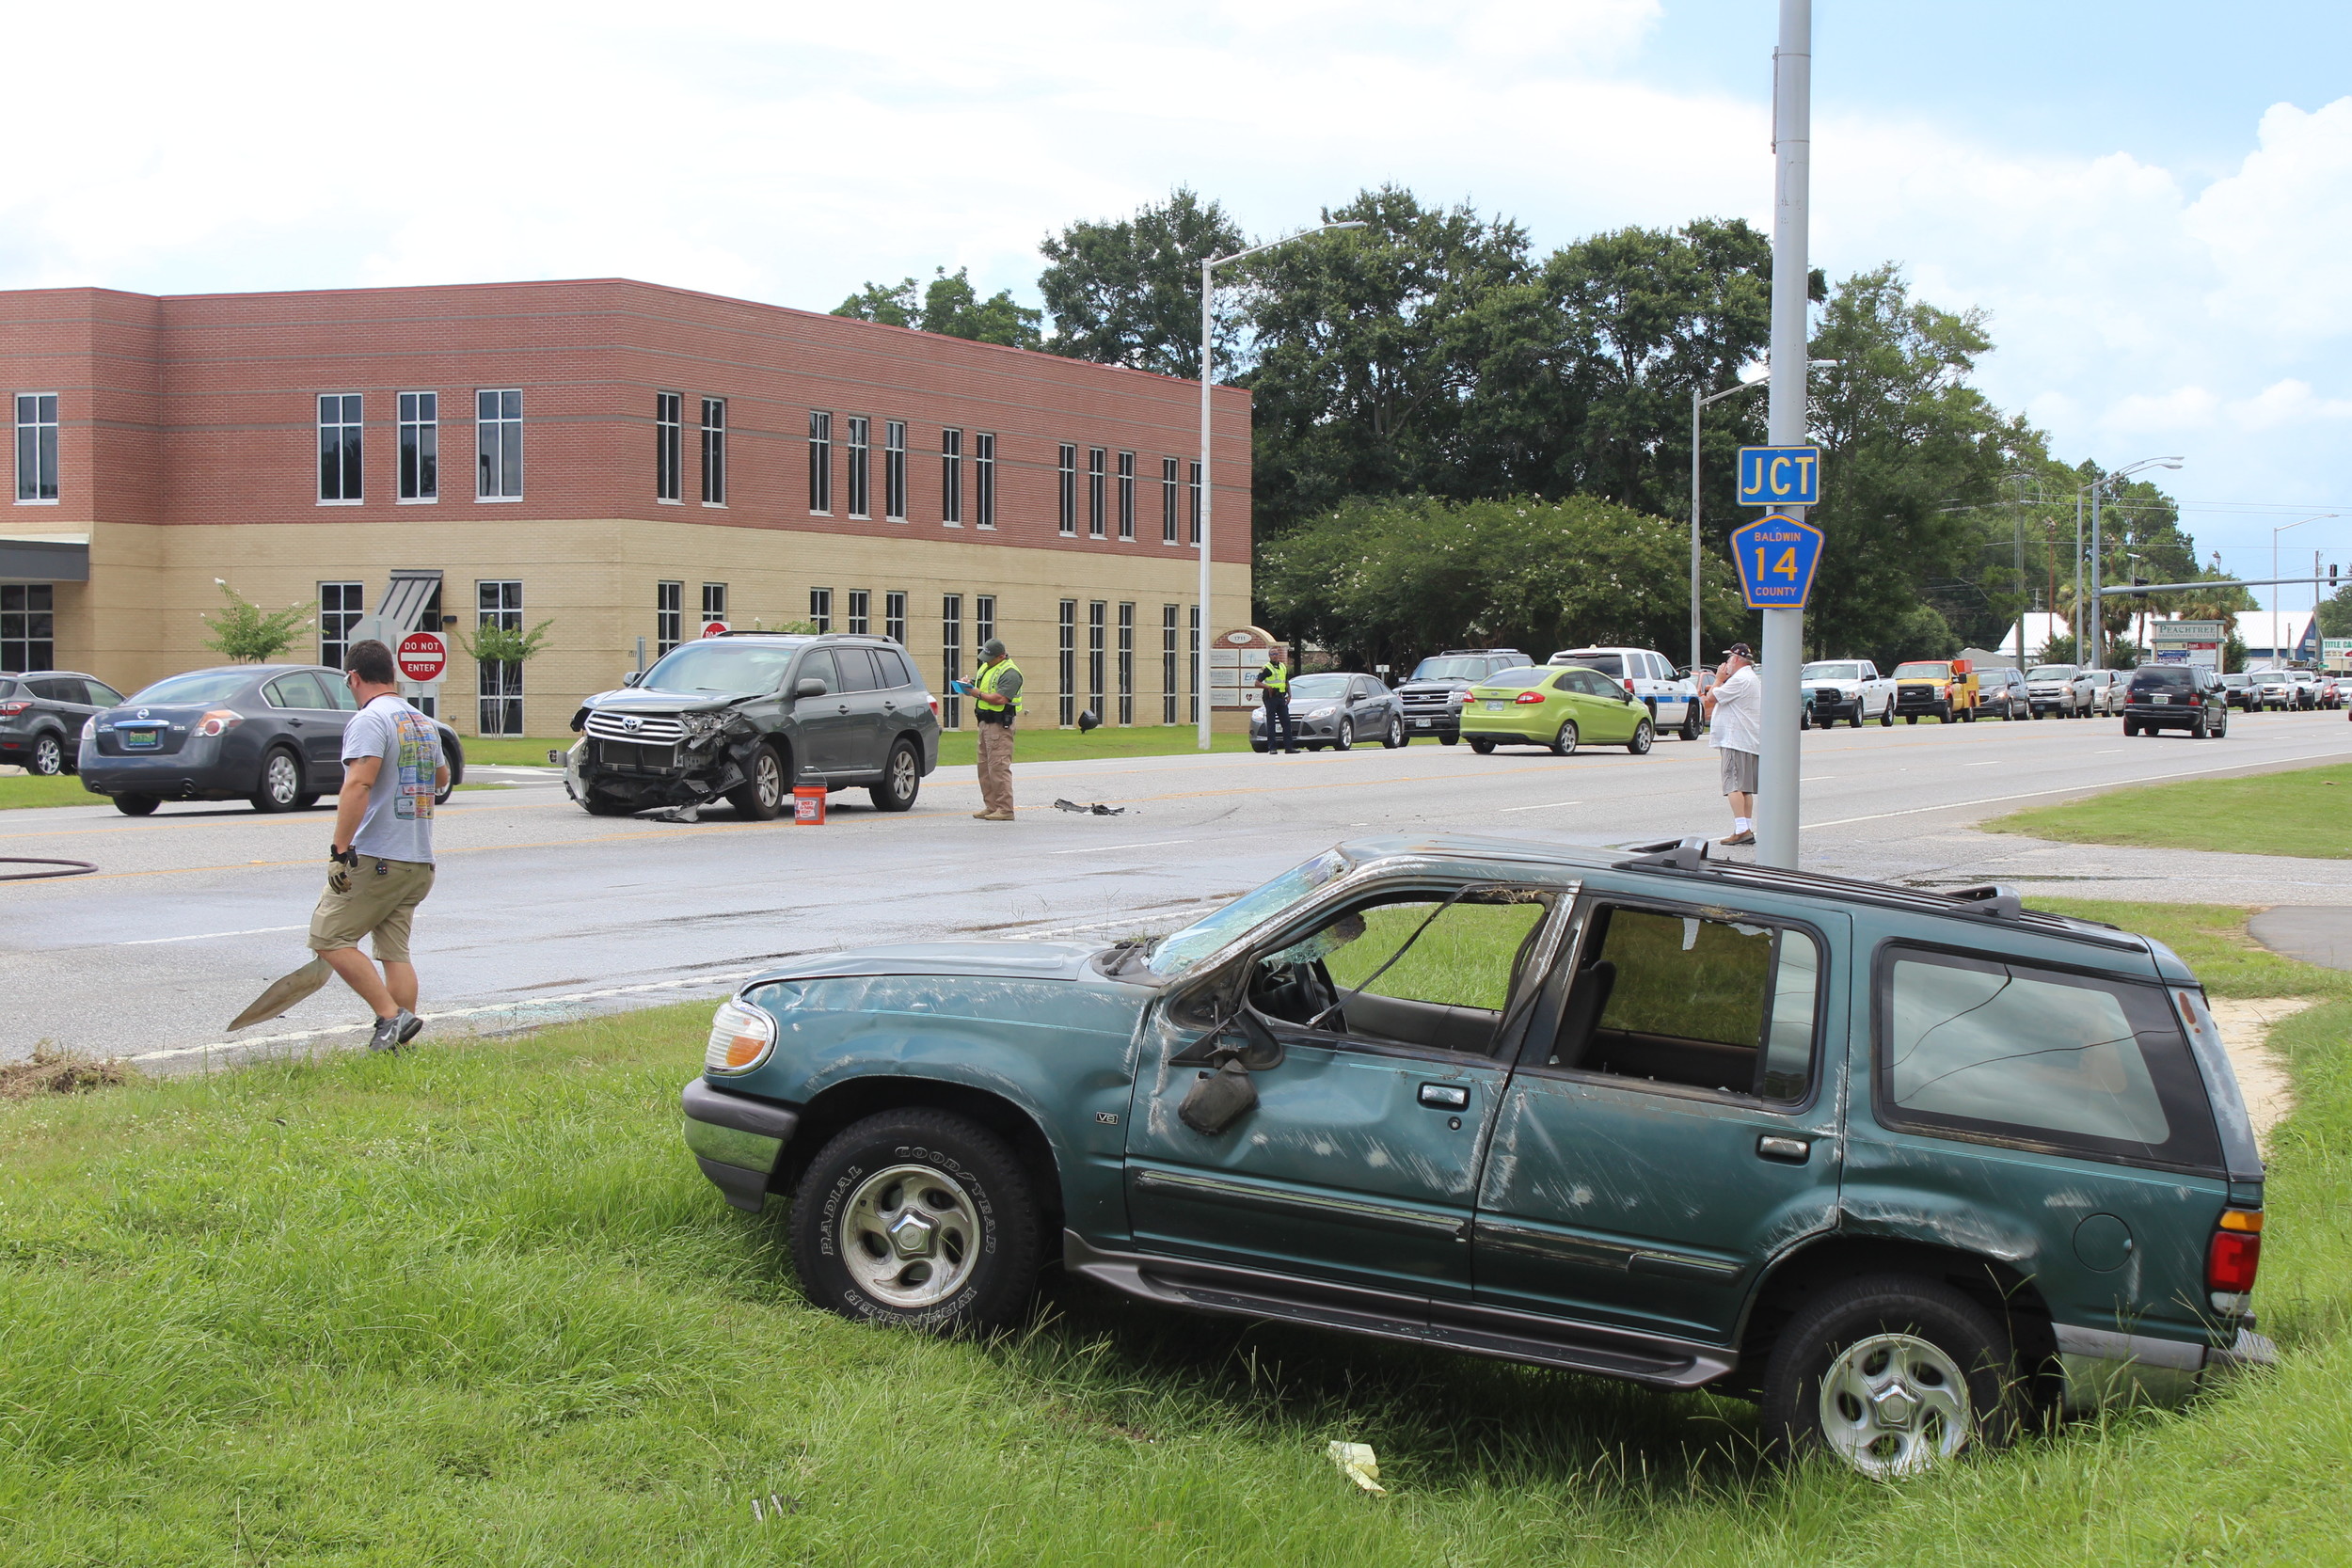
(474, 1306)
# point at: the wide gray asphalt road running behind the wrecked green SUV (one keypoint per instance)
(544, 911)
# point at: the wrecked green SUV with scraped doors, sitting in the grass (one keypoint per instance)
(1911, 1170)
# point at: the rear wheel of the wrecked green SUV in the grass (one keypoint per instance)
(1944, 1358)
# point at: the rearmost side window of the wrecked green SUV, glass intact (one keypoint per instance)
(2038, 1057)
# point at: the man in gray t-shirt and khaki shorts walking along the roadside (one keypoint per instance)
(382, 855)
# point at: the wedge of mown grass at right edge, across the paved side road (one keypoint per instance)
(2304, 812)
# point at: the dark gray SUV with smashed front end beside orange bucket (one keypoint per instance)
(749, 716)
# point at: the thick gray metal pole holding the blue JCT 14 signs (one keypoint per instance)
(1784, 629)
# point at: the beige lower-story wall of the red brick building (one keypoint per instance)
(140, 615)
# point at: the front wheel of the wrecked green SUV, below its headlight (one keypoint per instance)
(970, 1202)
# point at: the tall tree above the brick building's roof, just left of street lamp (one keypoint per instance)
(1128, 293)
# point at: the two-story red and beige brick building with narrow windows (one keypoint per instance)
(610, 457)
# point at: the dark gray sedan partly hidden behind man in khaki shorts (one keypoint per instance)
(269, 735)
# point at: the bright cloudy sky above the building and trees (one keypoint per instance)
(2151, 199)
